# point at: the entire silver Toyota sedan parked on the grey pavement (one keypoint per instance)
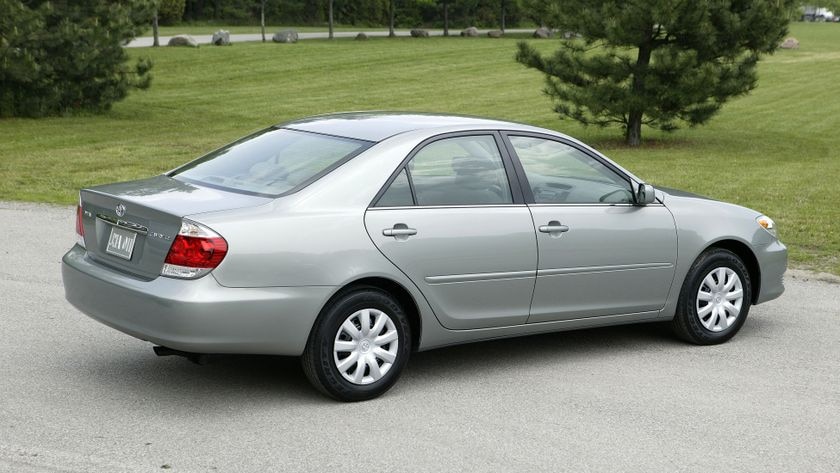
(352, 240)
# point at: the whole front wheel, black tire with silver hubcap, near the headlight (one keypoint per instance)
(715, 298)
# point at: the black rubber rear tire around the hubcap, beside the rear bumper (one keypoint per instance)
(319, 363)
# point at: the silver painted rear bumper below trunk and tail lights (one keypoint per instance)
(199, 315)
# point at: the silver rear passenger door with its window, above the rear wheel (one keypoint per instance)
(452, 221)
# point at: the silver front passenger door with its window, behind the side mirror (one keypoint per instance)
(599, 254)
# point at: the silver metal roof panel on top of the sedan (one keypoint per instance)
(377, 126)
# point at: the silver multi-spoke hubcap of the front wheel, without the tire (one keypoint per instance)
(719, 299)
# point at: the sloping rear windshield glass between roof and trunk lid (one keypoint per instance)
(271, 162)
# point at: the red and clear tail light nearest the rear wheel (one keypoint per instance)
(196, 251)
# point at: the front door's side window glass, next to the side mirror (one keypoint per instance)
(561, 174)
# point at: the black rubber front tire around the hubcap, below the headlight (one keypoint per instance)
(687, 323)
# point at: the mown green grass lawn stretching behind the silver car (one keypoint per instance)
(775, 150)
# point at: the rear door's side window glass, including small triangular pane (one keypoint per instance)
(465, 170)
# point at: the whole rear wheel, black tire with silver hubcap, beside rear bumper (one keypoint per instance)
(359, 346)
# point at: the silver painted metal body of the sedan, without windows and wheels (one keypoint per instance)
(470, 273)
